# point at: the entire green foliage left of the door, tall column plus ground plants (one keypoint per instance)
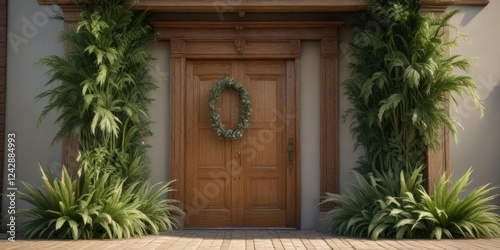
(102, 98)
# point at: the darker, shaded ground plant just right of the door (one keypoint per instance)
(369, 209)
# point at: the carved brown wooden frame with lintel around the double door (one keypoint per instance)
(255, 40)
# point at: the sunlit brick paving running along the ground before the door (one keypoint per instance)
(249, 239)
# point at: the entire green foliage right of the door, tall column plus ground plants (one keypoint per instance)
(400, 87)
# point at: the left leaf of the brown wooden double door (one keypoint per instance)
(208, 182)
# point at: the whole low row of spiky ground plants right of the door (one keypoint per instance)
(370, 211)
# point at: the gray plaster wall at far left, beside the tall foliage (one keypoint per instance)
(31, 36)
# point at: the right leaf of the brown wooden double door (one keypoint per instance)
(263, 164)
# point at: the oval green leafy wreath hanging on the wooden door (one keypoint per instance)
(220, 129)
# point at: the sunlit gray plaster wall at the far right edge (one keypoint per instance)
(479, 141)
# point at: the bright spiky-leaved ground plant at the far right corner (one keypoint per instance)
(446, 215)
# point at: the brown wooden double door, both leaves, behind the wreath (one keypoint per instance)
(251, 181)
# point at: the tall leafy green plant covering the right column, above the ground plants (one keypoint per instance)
(401, 82)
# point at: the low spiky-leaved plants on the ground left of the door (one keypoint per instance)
(97, 207)
